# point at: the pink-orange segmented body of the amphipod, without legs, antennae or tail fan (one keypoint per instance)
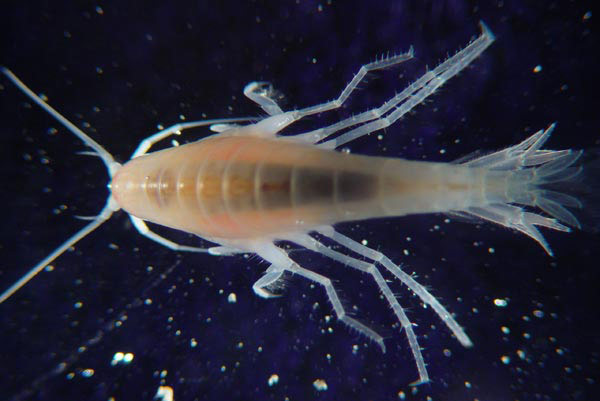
(236, 187)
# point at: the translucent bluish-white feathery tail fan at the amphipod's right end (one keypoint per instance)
(535, 188)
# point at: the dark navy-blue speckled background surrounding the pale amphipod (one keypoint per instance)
(122, 71)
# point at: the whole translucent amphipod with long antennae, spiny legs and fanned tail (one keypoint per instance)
(246, 187)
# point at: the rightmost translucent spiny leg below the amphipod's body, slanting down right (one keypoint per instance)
(405, 278)
